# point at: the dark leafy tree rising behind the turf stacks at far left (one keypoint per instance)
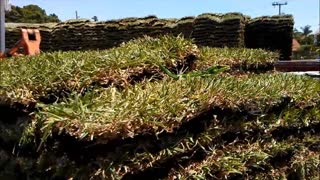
(30, 14)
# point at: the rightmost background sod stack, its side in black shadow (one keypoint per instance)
(273, 33)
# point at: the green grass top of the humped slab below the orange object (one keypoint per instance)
(31, 77)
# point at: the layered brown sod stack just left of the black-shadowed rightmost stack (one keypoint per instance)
(217, 30)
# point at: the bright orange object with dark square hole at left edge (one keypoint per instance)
(30, 42)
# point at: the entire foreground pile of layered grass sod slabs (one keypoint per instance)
(157, 108)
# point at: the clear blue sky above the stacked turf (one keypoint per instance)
(306, 12)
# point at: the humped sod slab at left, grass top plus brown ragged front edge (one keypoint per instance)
(52, 75)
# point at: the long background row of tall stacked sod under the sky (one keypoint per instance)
(213, 30)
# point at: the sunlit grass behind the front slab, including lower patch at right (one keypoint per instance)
(26, 79)
